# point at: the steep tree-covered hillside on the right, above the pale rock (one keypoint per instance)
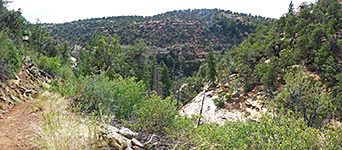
(310, 39)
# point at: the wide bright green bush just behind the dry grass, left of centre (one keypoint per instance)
(120, 97)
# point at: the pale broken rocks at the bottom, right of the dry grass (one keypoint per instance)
(119, 139)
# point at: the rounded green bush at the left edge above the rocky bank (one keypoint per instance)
(9, 56)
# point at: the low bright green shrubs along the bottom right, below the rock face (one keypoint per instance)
(280, 132)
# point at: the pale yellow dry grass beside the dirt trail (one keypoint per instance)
(60, 128)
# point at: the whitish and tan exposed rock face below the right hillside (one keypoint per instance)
(238, 107)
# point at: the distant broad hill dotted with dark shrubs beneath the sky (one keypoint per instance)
(176, 34)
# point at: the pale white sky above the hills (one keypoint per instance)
(60, 11)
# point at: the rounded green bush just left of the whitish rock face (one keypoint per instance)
(156, 114)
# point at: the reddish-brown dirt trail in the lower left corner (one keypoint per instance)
(17, 127)
